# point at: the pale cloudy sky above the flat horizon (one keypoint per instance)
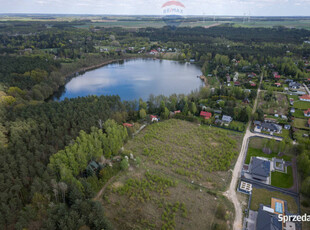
(153, 7)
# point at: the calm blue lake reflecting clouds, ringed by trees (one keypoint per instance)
(134, 79)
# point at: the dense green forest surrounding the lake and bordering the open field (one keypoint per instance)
(36, 59)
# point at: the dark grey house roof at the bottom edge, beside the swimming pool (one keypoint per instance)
(267, 221)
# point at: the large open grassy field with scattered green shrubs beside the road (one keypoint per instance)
(178, 184)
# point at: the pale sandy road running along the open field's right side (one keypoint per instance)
(231, 193)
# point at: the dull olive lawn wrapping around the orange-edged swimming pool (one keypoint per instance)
(263, 196)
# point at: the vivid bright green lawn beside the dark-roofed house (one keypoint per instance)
(282, 180)
